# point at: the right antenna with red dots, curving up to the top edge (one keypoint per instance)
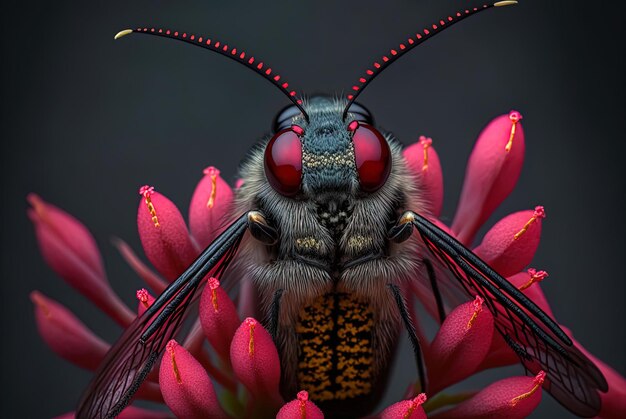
(412, 42)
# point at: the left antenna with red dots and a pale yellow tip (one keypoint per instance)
(241, 57)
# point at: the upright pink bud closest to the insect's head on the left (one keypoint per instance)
(210, 203)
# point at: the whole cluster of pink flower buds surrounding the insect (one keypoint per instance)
(237, 373)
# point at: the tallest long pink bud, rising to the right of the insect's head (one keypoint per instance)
(492, 172)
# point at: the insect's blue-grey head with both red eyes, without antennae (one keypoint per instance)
(327, 153)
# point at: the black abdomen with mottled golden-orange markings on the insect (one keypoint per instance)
(335, 354)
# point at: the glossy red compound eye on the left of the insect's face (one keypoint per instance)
(283, 161)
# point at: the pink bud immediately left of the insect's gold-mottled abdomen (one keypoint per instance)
(255, 361)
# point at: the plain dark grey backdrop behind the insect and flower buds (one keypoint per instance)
(86, 120)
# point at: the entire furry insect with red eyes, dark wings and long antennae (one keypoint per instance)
(330, 211)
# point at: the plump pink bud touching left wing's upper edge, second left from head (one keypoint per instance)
(163, 234)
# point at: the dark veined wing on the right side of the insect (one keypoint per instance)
(539, 342)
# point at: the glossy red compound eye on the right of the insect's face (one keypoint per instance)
(372, 155)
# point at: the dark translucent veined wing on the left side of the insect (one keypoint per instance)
(132, 357)
